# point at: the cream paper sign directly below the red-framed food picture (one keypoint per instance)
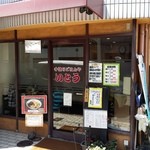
(34, 120)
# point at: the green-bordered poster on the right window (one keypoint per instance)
(111, 74)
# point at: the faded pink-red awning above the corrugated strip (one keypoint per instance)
(32, 6)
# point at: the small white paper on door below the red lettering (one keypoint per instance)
(67, 99)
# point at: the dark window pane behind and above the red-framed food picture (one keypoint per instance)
(33, 71)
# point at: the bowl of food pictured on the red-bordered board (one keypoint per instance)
(33, 104)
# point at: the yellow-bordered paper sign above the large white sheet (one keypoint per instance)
(95, 98)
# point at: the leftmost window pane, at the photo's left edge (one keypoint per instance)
(7, 79)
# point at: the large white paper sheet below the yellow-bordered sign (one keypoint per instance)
(95, 118)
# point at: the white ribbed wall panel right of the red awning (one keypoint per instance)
(119, 9)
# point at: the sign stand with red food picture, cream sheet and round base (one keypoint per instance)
(34, 106)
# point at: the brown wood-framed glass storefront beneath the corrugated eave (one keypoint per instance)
(78, 46)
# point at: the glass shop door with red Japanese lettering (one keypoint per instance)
(67, 87)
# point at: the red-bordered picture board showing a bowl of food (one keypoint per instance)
(34, 104)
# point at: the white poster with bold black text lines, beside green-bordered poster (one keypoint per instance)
(95, 72)
